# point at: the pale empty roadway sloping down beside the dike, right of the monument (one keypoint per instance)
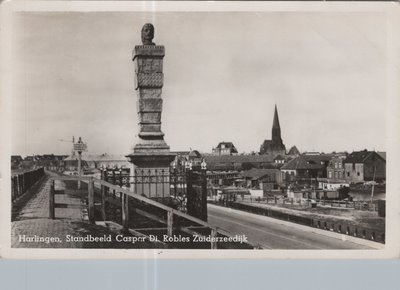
(270, 233)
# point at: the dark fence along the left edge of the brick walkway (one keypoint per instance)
(20, 183)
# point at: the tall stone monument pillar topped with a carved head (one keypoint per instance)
(150, 155)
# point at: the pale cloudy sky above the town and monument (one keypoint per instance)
(223, 74)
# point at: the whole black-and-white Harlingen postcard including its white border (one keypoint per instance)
(156, 128)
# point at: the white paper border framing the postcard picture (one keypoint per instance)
(392, 11)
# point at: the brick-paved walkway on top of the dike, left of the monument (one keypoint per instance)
(32, 228)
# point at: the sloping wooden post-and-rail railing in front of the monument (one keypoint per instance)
(174, 219)
